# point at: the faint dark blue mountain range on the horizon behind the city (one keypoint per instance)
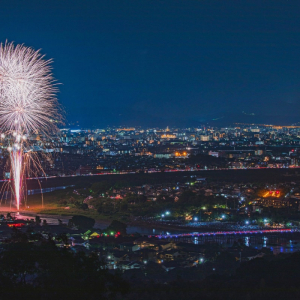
(103, 116)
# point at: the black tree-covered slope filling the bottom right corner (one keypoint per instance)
(259, 279)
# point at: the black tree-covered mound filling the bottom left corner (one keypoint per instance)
(32, 267)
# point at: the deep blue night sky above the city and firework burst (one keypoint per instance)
(166, 62)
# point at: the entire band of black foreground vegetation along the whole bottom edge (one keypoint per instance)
(32, 267)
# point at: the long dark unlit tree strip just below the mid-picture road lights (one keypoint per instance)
(237, 176)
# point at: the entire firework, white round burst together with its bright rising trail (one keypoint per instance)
(28, 105)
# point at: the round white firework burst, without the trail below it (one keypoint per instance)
(27, 90)
